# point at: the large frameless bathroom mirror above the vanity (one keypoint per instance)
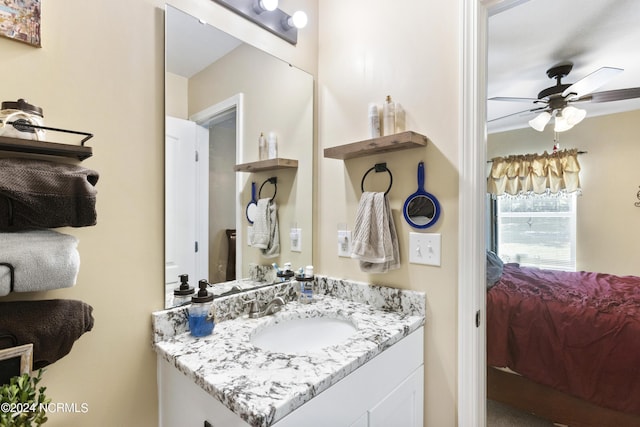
(220, 95)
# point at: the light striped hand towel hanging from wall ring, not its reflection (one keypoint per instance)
(375, 241)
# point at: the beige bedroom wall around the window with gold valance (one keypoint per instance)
(605, 240)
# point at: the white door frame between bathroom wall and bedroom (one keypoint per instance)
(472, 188)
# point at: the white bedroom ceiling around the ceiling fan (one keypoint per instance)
(528, 39)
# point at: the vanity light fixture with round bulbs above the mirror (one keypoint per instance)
(265, 13)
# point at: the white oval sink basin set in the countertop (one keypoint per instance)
(303, 335)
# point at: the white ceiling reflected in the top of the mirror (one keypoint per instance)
(191, 45)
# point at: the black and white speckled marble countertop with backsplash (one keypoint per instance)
(262, 386)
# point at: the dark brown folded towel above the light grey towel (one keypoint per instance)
(43, 194)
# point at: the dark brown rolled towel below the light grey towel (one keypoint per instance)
(51, 325)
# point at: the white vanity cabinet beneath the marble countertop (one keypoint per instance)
(386, 391)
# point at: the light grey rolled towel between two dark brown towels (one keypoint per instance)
(41, 259)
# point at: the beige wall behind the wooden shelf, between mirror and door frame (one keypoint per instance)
(369, 50)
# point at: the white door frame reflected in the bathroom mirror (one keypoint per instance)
(203, 118)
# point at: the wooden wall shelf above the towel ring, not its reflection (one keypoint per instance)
(383, 144)
